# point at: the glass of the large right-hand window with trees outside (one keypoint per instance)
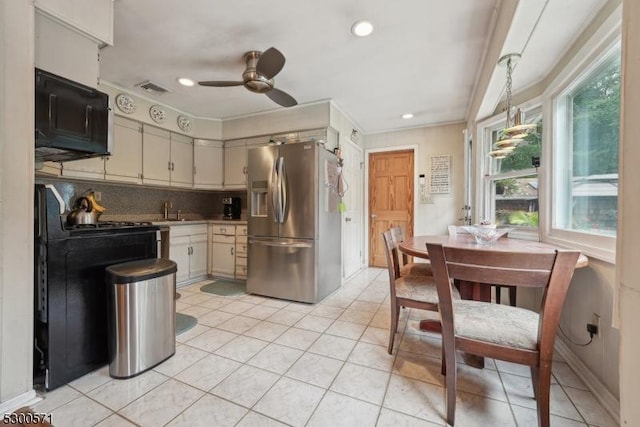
(586, 138)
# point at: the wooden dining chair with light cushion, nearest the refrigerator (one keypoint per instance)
(406, 291)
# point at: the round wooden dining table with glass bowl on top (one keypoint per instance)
(416, 246)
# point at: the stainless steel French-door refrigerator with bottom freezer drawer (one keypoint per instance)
(294, 223)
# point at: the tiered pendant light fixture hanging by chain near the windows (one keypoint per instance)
(514, 130)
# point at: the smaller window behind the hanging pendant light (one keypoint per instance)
(511, 183)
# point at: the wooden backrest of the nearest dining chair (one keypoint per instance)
(551, 271)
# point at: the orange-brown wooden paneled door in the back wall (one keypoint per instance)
(391, 198)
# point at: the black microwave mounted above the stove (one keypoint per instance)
(72, 121)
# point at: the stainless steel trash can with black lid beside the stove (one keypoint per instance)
(142, 321)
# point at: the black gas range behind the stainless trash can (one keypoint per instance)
(70, 324)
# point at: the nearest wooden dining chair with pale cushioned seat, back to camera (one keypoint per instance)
(501, 331)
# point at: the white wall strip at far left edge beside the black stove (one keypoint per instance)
(16, 201)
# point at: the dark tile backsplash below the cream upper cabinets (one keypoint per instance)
(145, 202)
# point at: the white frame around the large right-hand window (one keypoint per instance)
(590, 56)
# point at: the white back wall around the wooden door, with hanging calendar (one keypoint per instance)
(434, 140)
